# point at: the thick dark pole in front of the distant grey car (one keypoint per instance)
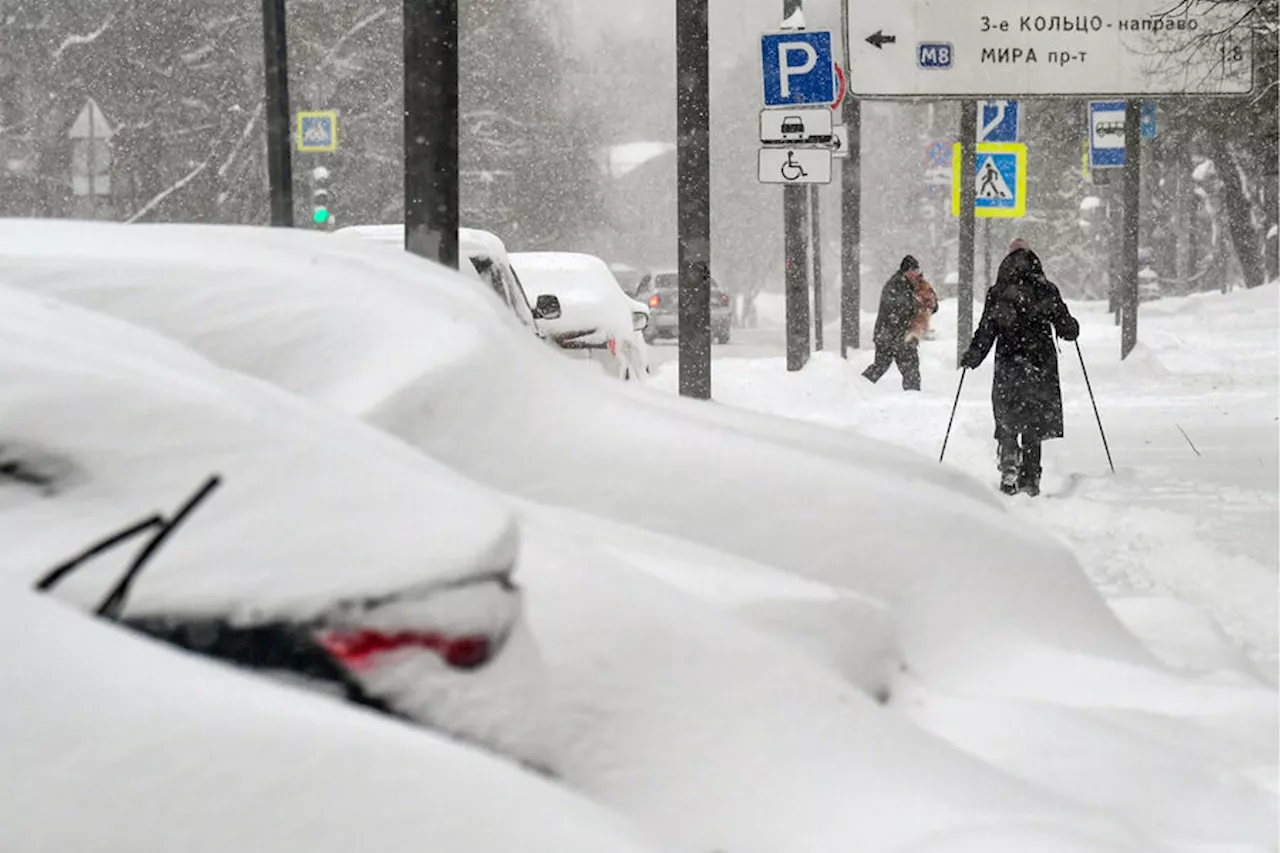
(694, 198)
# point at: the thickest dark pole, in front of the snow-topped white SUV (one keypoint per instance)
(432, 130)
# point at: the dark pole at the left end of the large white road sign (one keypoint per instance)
(851, 213)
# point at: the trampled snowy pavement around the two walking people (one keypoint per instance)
(1183, 539)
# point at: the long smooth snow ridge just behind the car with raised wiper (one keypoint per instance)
(381, 336)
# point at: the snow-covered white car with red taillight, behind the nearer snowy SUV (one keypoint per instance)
(596, 314)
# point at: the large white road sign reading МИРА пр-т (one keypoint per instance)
(1020, 48)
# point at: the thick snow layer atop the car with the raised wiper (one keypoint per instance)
(313, 508)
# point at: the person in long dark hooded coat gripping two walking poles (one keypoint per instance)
(1022, 313)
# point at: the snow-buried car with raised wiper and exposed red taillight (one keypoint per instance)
(221, 516)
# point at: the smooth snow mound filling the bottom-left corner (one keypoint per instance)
(113, 742)
